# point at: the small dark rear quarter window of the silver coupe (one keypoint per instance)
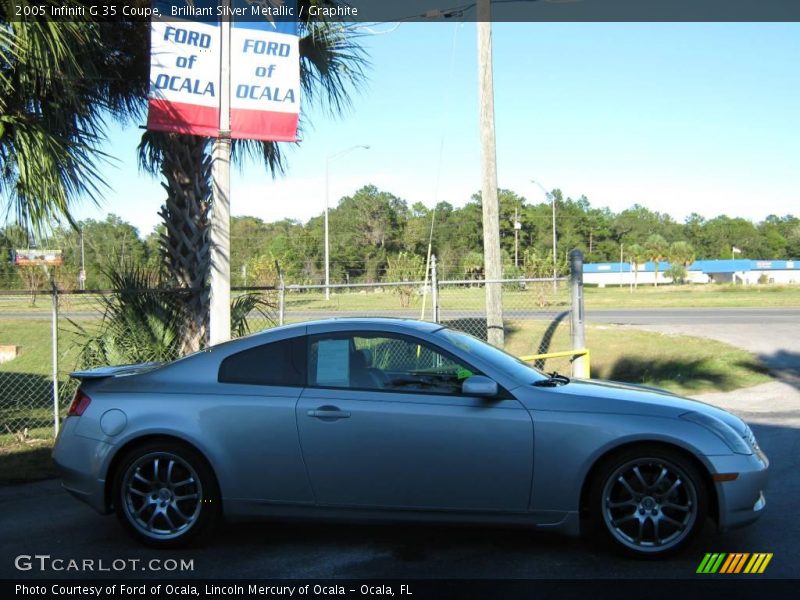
(278, 363)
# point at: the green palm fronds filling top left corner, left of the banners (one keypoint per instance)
(59, 82)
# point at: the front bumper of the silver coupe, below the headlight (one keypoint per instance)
(742, 500)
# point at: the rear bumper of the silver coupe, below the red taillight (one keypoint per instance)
(79, 461)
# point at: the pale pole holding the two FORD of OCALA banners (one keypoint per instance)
(220, 300)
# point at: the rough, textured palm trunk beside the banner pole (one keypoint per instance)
(186, 244)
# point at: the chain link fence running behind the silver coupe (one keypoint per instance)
(46, 335)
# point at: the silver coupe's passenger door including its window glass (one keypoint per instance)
(383, 424)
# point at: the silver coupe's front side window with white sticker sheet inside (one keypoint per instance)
(383, 362)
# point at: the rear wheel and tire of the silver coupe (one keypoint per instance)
(165, 494)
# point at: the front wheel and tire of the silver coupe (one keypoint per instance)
(648, 501)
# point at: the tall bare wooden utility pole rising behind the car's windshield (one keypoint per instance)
(491, 213)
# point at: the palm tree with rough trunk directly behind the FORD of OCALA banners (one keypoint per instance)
(331, 65)
